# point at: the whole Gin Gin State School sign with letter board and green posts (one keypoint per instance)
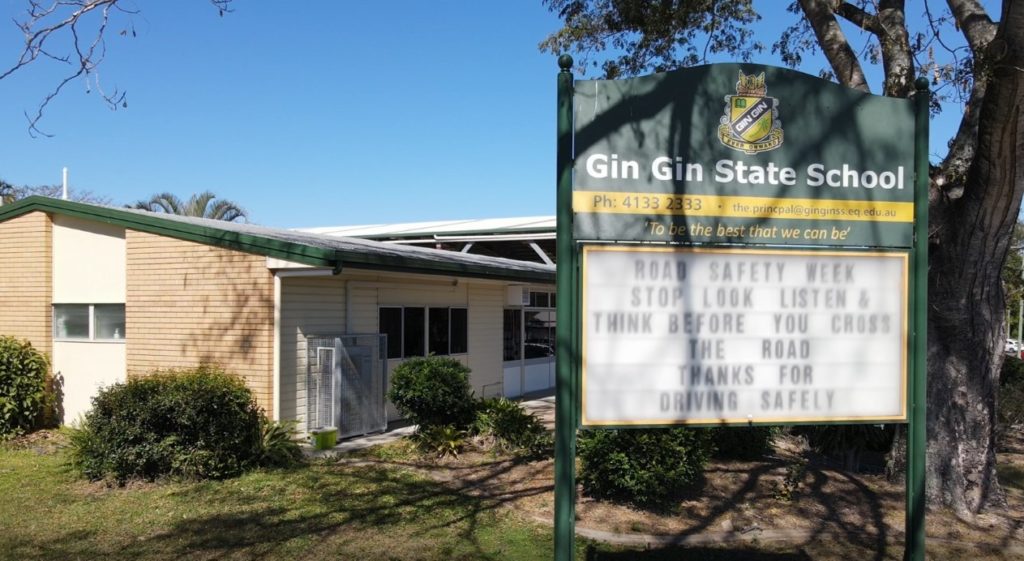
(739, 245)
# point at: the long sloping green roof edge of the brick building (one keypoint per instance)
(315, 250)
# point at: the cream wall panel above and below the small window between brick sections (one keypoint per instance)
(90, 267)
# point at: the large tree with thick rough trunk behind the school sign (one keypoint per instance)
(975, 191)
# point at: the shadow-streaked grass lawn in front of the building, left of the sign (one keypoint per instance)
(315, 512)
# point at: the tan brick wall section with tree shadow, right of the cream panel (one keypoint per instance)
(191, 304)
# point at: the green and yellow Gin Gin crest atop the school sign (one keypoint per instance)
(751, 123)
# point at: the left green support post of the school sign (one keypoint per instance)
(566, 427)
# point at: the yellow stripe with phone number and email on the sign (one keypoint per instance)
(741, 207)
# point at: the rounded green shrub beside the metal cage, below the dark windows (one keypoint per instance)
(434, 392)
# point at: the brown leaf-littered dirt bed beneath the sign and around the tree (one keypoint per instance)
(743, 501)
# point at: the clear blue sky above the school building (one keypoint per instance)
(310, 114)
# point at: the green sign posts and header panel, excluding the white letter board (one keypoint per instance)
(658, 160)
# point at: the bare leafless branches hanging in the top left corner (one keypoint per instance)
(73, 33)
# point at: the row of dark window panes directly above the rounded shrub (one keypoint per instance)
(416, 331)
